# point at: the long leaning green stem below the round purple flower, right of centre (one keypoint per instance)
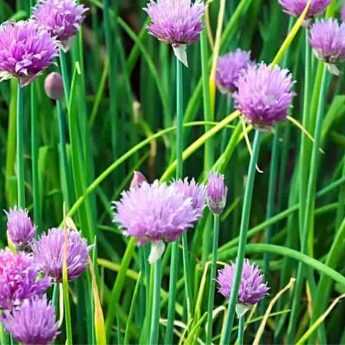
(225, 339)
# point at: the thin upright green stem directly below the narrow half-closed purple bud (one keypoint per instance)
(212, 287)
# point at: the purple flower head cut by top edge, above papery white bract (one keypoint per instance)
(175, 21)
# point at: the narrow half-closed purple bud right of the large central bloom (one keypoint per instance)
(216, 193)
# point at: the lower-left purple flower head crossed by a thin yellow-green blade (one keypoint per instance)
(49, 253)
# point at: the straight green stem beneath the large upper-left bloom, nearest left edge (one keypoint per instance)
(20, 148)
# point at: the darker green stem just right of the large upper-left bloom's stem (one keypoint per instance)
(34, 159)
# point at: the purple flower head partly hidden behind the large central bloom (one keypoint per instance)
(193, 190)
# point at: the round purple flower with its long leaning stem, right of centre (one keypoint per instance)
(257, 87)
